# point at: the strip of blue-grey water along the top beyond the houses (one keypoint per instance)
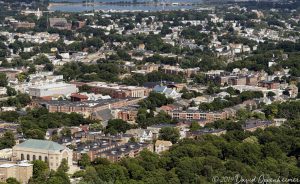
(80, 7)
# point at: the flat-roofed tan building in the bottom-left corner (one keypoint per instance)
(22, 171)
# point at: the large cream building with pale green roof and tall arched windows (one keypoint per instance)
(47, 151)
